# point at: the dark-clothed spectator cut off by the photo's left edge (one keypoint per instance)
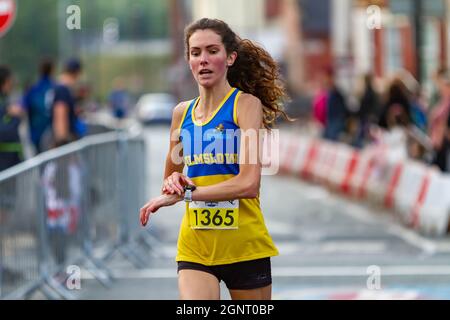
(10, 145)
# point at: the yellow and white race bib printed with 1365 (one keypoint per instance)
(214, 215)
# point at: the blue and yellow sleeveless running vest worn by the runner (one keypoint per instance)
(215, 233)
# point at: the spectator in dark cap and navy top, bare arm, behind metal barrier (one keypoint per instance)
(65, 123)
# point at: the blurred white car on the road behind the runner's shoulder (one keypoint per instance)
(155, 108)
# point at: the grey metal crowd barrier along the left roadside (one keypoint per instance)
(75, 205)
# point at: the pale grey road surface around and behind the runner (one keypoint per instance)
(330, 248)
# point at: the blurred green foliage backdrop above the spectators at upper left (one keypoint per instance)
(40, 29)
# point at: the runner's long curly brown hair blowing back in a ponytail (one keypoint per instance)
(254, 70)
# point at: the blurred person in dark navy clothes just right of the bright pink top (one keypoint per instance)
(337, 111)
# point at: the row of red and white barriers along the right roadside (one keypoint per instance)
(419, 194)
